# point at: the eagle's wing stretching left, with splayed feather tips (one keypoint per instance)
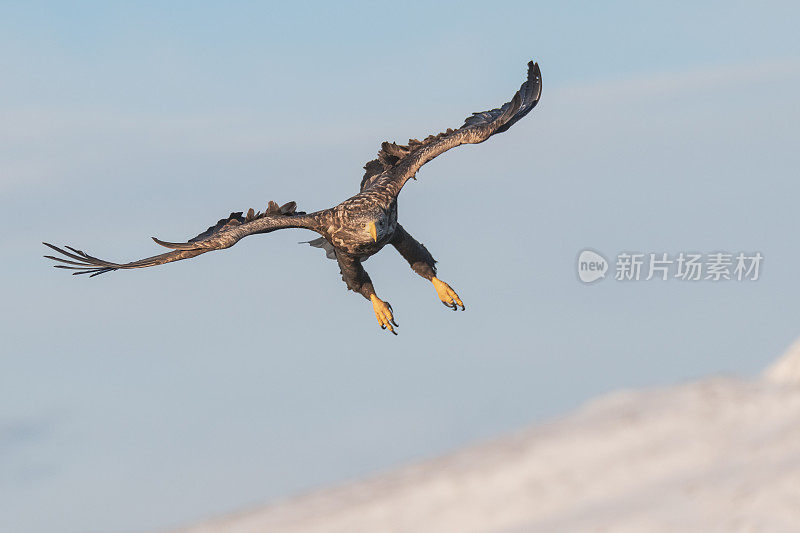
(224, 234)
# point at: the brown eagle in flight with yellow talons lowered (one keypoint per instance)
(358, 227)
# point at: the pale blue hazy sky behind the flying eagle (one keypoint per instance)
(150, 398)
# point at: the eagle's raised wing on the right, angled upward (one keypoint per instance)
(402, 162)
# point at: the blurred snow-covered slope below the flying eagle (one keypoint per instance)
(719, 455)
